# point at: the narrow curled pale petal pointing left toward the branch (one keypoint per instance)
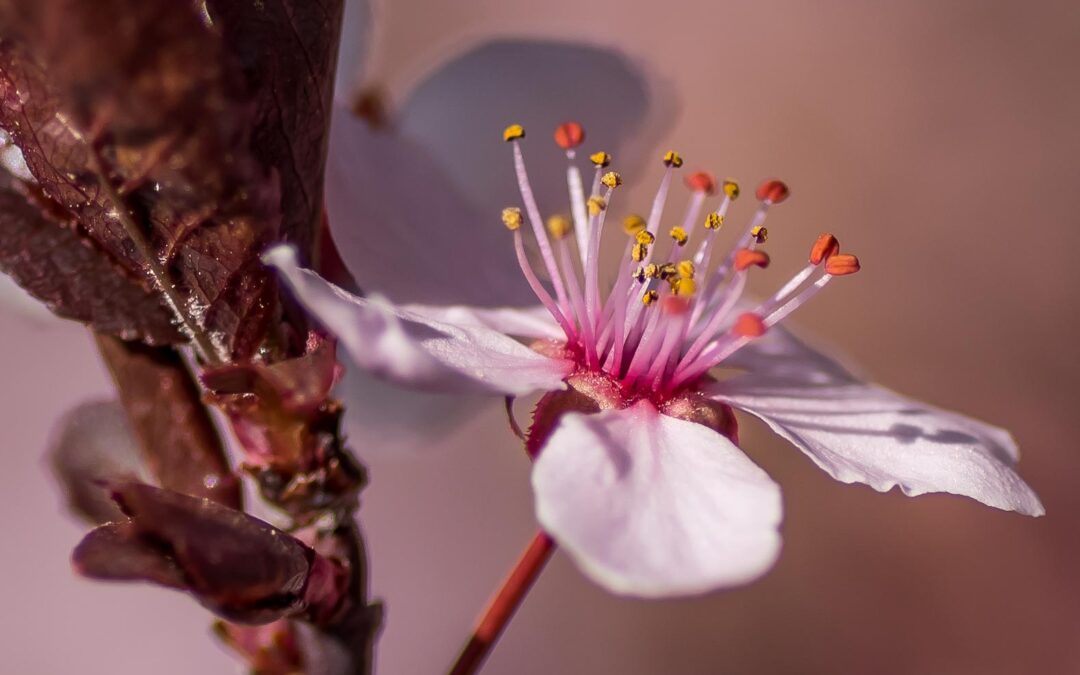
(413, 350)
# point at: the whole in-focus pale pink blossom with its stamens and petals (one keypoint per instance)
(638, 474)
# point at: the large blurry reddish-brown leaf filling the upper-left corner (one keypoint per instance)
(143, 94)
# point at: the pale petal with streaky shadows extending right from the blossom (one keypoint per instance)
(865, 434)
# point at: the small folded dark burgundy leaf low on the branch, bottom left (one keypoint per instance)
(238, 566)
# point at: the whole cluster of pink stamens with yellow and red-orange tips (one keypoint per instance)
(664, 323)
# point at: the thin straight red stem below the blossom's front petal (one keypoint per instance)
(502, 610)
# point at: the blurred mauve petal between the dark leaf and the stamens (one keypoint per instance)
(406, 232)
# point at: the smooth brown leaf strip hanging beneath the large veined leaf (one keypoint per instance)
(181, 445)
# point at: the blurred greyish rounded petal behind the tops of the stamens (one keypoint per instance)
(460, 111)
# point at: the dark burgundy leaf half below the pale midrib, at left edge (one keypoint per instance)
(46, 255)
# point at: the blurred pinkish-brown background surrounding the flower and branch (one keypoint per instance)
(940, 141)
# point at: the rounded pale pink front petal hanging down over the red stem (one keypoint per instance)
(653, 506)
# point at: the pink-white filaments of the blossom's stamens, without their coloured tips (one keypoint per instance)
(664, 348)
